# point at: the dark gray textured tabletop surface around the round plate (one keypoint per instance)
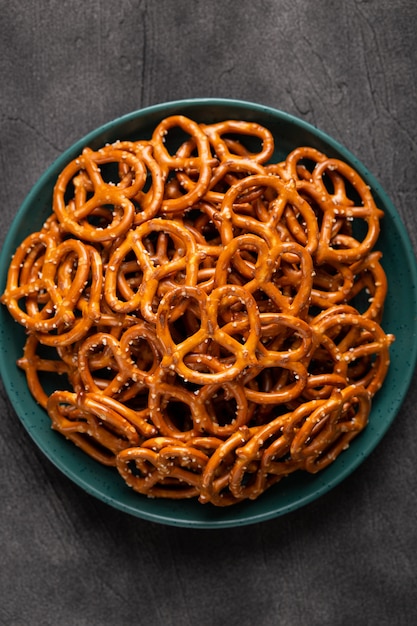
(350, 69)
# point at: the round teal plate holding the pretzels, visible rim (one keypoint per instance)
(298, 489)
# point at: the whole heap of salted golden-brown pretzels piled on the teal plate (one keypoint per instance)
(214, 315)
